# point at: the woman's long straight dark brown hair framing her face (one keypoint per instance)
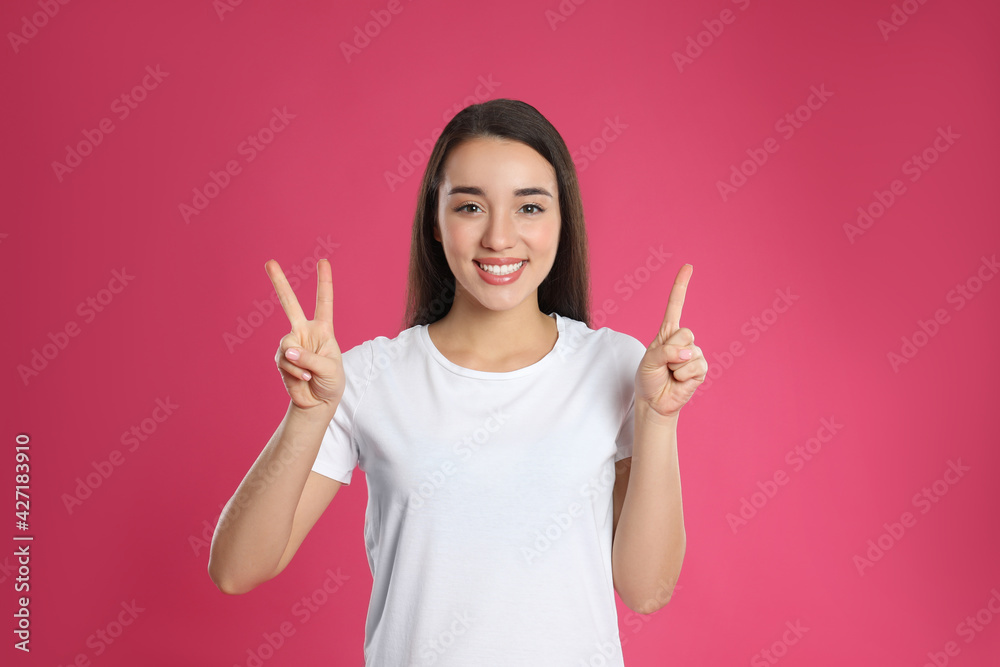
(431, 284)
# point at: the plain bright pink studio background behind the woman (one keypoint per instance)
(655, 183)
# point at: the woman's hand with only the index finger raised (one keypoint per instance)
(673, 365)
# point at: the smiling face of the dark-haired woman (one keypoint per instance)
(498, 203)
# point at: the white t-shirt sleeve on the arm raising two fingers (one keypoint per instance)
(338, 453)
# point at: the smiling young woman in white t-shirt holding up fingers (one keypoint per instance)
(521, 466)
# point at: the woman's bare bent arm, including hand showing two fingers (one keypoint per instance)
(280, 499)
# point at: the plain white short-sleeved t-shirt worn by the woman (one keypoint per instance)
(488, 526)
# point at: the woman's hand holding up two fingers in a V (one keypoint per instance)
(308, 357)
